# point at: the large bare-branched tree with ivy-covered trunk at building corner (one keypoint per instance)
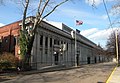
(27, 38)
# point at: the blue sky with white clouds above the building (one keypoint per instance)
(95, 21)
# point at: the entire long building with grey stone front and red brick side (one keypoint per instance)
(54, 44)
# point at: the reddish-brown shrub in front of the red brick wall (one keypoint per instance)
(7, 60)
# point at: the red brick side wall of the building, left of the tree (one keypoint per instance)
(9, 37)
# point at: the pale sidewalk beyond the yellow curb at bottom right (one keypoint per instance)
(115, 76)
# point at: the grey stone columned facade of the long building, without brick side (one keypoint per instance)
(55, 45)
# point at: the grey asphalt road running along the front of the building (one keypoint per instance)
(94, 73)
